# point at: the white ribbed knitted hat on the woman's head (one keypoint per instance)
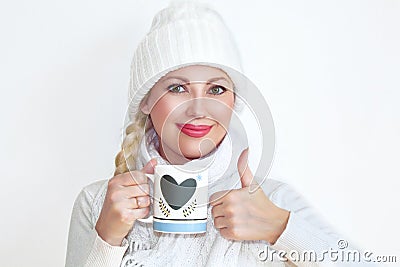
(185, 33)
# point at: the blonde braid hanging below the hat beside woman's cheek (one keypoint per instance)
(126, 158)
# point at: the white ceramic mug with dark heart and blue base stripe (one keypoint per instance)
(180, 197)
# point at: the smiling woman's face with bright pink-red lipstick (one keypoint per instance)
(190, 109)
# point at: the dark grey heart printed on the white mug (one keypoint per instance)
(177, 195)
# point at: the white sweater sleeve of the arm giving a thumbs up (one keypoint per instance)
(307, 232)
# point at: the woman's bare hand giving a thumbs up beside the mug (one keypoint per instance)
(247, 213)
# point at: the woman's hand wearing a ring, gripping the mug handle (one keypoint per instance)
(126, 200)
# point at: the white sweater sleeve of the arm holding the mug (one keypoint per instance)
(85, 247)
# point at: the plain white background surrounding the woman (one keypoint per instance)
(328, 69)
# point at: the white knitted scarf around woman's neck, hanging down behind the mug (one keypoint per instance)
(149, 248)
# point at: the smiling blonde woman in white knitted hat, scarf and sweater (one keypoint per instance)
(186, 87)
